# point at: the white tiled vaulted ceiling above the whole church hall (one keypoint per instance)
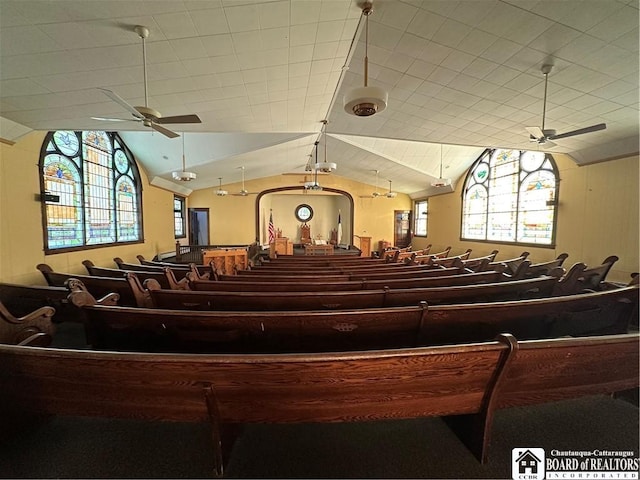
(263, 75)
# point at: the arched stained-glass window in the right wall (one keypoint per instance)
(510, 196)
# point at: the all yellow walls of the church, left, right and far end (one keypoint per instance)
(597, 217)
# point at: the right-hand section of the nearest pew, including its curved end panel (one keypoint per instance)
(541, 371)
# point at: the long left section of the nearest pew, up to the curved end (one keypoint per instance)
(226, 390)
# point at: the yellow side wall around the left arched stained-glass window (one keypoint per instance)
(21, 237)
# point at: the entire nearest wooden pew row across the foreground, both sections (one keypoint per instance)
(465, 383)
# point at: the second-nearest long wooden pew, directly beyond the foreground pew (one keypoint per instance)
(162, 329)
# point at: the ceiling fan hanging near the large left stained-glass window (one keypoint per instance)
(146, 115)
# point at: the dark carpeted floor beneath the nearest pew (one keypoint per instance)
(65, 447)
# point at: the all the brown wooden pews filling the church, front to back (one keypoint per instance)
(303, 340)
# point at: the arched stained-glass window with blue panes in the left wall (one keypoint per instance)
(91, 191)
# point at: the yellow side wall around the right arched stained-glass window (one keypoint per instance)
(597, 217)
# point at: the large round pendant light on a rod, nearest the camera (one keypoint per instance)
(366, 101)
